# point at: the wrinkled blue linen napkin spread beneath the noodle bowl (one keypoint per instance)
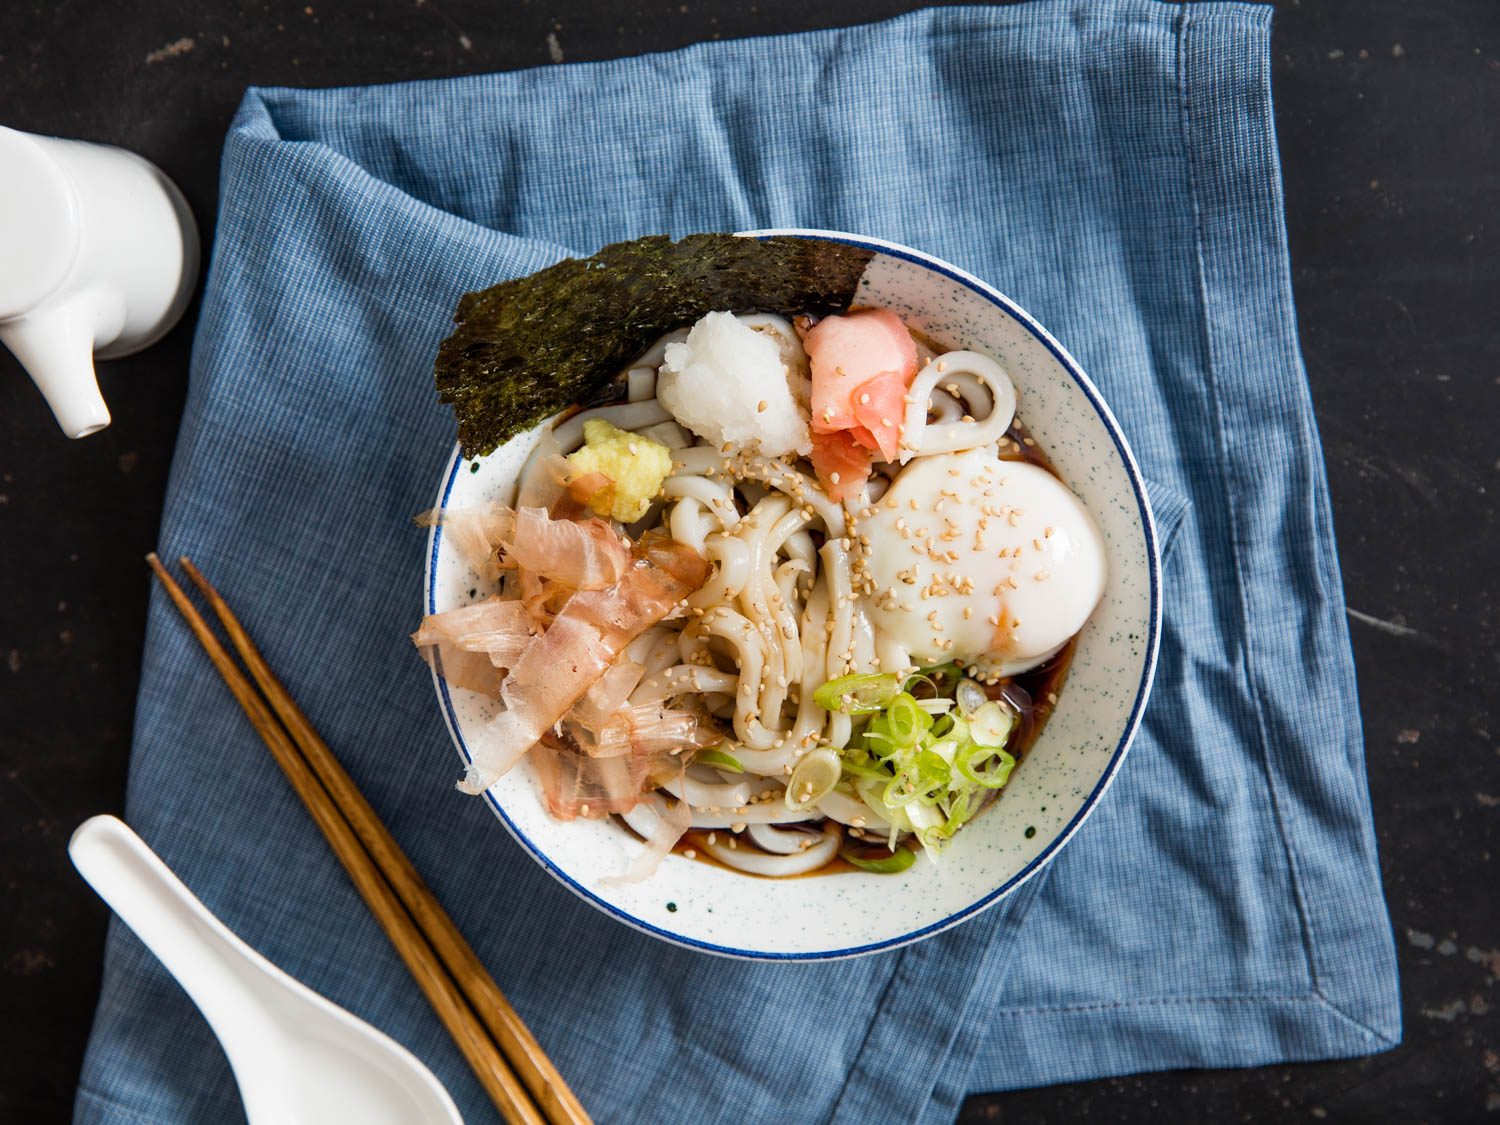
(1112, 167)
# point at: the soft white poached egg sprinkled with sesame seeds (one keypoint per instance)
(991, 563)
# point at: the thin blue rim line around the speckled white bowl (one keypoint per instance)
(1117, 758)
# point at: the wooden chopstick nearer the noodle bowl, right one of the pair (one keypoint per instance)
(521, 1048)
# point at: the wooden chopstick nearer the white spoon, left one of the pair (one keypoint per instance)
(424, 964)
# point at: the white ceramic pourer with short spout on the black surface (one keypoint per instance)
(98, 260)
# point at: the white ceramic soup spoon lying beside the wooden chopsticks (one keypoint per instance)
(298, 1057)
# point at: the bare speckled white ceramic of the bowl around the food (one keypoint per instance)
(1051, 794)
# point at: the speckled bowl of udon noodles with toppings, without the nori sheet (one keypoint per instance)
(809, 635)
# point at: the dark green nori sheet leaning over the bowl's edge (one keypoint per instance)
(530, 347)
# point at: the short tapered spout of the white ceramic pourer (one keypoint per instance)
(56, 347)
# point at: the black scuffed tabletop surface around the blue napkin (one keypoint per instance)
(1388, 121)
